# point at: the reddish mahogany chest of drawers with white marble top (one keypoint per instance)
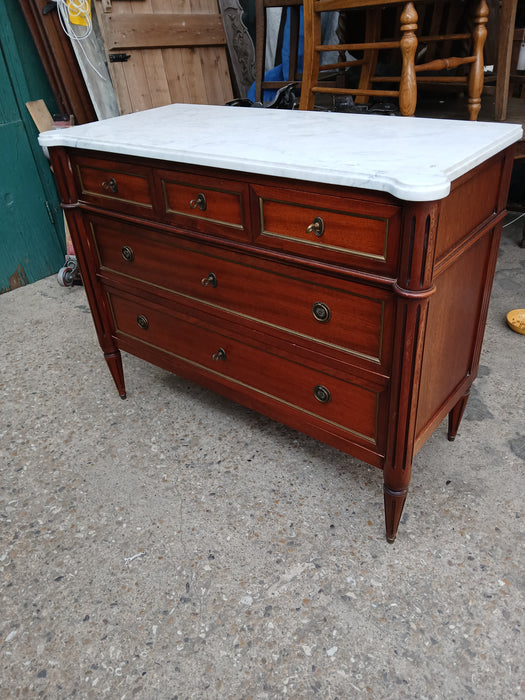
(345, 304)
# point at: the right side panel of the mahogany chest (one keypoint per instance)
(466, 251)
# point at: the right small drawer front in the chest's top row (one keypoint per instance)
(336, 229)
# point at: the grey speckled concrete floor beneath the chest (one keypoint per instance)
(175, 545)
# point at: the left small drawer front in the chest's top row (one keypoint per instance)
(114, 185)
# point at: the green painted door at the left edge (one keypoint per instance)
(31, 224)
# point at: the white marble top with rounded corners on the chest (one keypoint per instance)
(411, 158)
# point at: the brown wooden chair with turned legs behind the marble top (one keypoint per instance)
(406, 43)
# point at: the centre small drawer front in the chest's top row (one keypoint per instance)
(205, 204)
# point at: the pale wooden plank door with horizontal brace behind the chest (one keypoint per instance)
(175, 49)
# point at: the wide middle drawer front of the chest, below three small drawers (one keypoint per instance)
(347, 316)
